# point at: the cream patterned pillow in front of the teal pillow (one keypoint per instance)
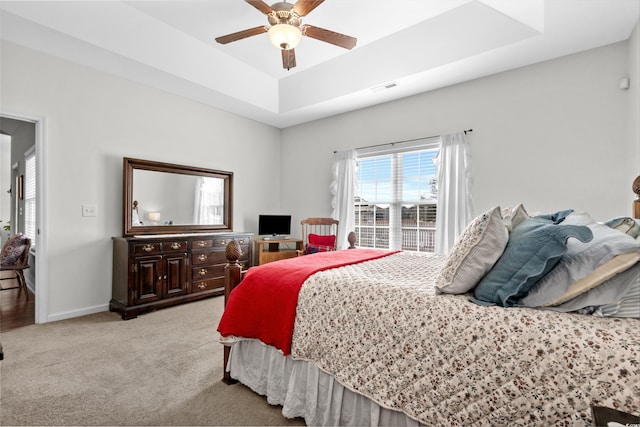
(474, 253)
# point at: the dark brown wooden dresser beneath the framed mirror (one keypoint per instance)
(154, 272)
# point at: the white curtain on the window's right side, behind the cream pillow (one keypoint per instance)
(455, 210)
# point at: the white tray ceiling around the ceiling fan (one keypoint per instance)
(418, 45)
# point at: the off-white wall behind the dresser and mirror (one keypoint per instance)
(93, 120)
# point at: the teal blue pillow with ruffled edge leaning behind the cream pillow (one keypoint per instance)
(535, 246)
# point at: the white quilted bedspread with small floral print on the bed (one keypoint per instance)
(382, 331)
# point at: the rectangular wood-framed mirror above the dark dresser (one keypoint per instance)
(163, 198)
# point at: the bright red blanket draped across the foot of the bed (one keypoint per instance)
(264, 304)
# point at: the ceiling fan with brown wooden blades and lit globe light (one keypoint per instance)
(287, 29)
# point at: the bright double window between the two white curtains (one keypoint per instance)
(396, 197)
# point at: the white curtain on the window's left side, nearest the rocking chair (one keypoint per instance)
(342, 188)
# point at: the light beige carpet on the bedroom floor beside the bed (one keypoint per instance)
(163, 368)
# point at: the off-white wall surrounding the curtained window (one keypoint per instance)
(552, 135)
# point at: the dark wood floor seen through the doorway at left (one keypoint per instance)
(15, 310)
